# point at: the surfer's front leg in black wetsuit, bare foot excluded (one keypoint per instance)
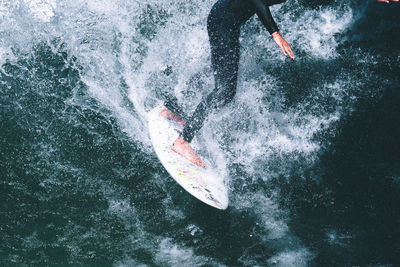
(223, 32)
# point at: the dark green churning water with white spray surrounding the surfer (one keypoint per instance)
(310, 149)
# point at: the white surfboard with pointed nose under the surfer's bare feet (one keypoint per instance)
(203, 183)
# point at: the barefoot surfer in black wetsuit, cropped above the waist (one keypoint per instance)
(223, 26)
